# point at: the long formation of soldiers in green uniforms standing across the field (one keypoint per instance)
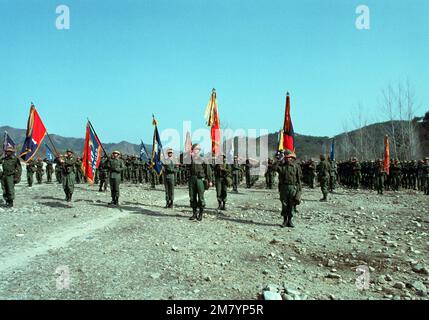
(200, 173)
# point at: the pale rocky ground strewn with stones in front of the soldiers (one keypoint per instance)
(88, 250)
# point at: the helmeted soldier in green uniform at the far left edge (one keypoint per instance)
(10, 174)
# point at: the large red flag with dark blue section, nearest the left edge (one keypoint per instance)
(36, 132)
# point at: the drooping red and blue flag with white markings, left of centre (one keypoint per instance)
(91, 154)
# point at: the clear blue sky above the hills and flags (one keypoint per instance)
(123, 60)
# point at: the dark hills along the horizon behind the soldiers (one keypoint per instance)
(365, 143)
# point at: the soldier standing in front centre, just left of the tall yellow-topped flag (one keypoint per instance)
(199, 171)
